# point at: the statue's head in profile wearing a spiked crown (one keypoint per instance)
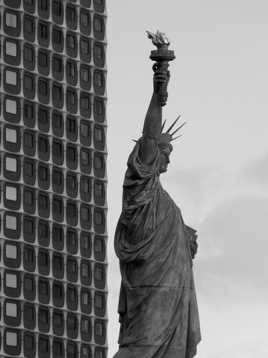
(165, 145)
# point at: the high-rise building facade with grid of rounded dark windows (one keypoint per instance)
(53, 179)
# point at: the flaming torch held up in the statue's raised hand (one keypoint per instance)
(161, 56)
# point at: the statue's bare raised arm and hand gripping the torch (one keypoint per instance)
(153, 121)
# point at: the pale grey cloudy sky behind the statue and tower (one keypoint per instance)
(218, 173)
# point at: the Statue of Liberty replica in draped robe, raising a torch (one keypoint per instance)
(157, 308)
